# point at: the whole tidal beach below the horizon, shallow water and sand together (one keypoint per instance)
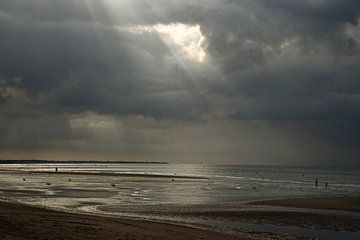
(184, 201)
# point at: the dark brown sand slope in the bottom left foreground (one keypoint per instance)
(20, 222)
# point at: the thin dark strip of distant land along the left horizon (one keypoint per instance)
(33, 161)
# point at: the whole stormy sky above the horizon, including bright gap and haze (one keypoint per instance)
(182, 81)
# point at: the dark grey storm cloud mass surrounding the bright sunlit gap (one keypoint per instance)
(291, 64)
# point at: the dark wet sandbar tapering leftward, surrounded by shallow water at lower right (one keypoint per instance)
(286, 212)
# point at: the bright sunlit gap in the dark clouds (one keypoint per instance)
(187, 39)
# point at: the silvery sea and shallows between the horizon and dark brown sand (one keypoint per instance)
(122, 189)
